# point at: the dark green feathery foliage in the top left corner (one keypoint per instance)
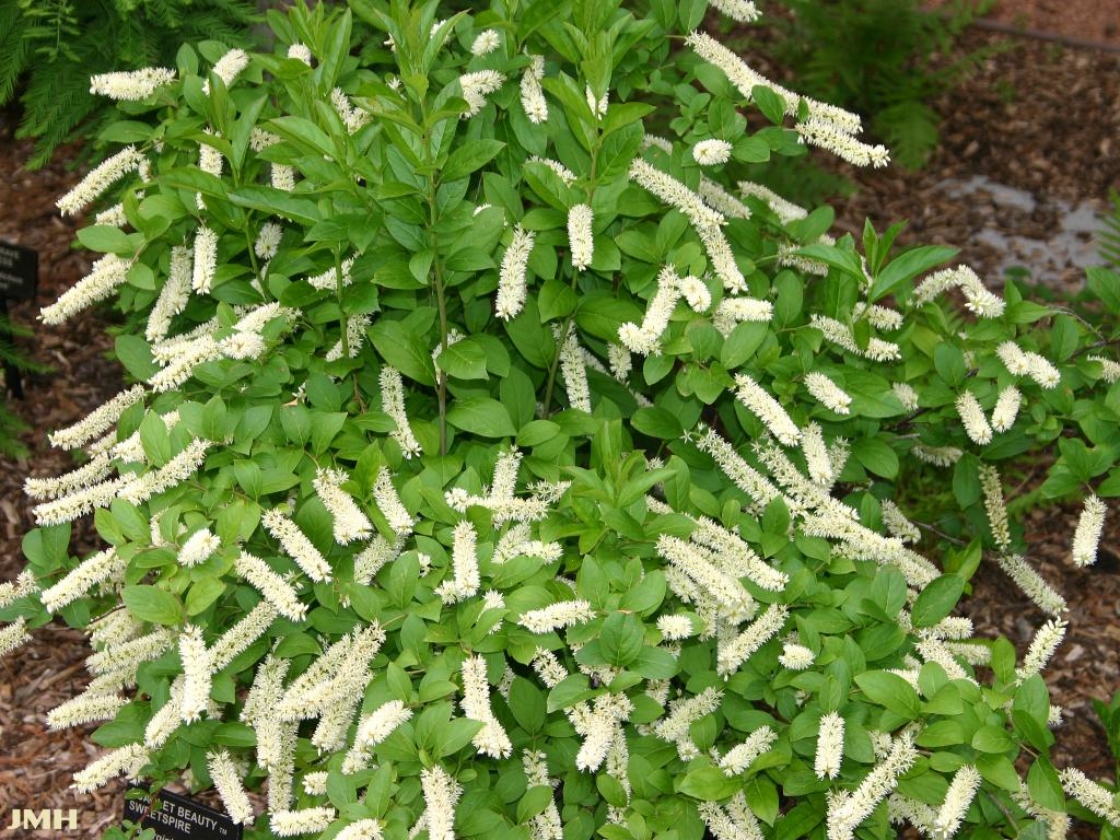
(50, 49)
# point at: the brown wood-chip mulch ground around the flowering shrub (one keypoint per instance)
(1041, 116)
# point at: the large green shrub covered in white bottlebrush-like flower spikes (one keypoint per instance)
(498, 468)
